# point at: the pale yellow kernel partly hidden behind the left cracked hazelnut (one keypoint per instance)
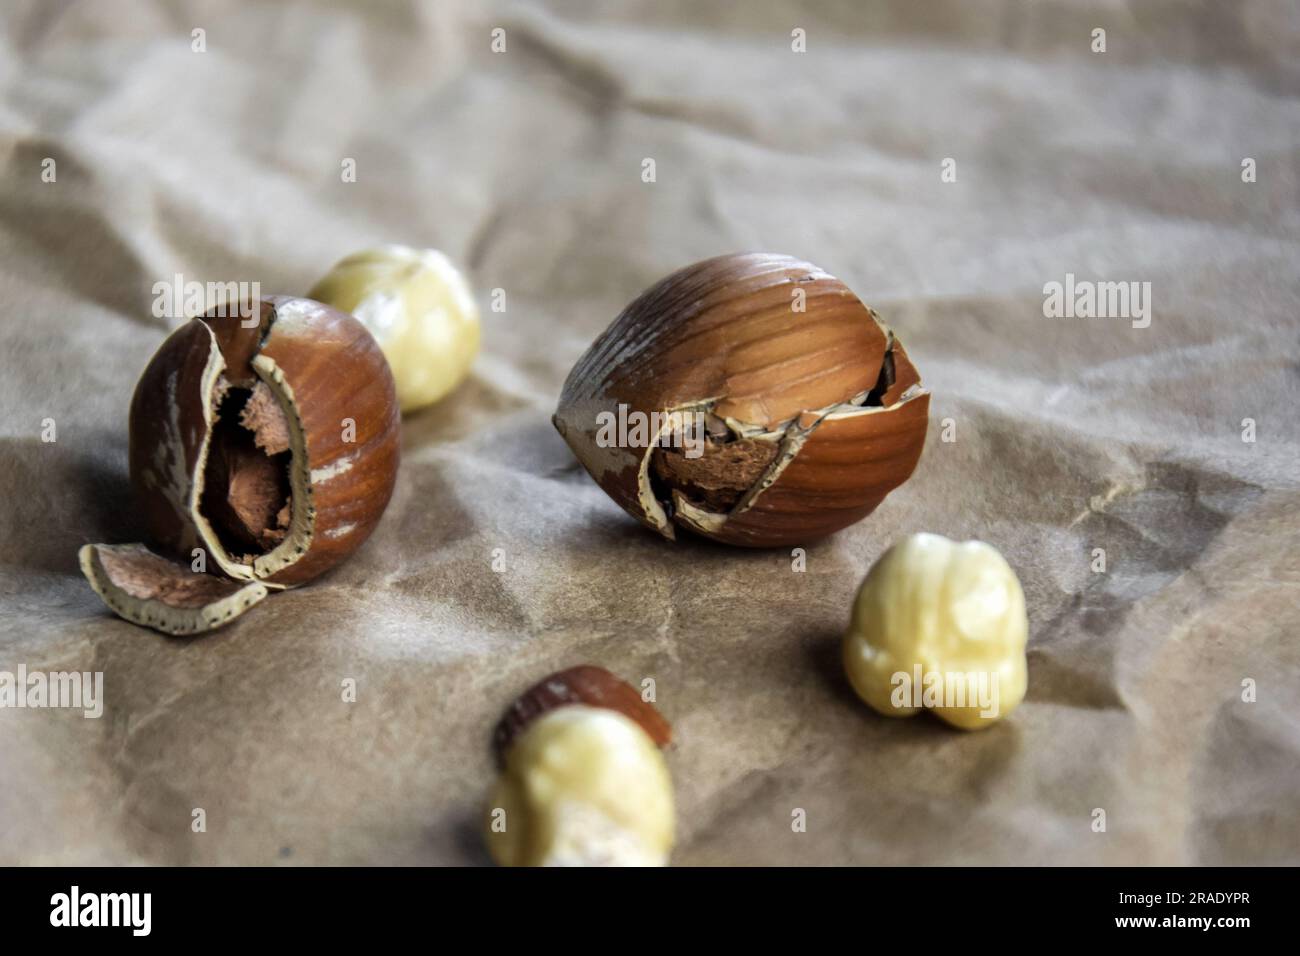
(421, 312)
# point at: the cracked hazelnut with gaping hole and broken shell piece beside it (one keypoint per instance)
(270, 445)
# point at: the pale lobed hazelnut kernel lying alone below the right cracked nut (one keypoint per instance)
(939, 625)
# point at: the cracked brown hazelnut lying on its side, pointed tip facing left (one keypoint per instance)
(751, 399)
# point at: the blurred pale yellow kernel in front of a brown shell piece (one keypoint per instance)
(582, 788)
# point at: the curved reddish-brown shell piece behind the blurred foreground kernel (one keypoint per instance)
(584, 685)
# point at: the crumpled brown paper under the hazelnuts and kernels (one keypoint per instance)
(1063, 435)
